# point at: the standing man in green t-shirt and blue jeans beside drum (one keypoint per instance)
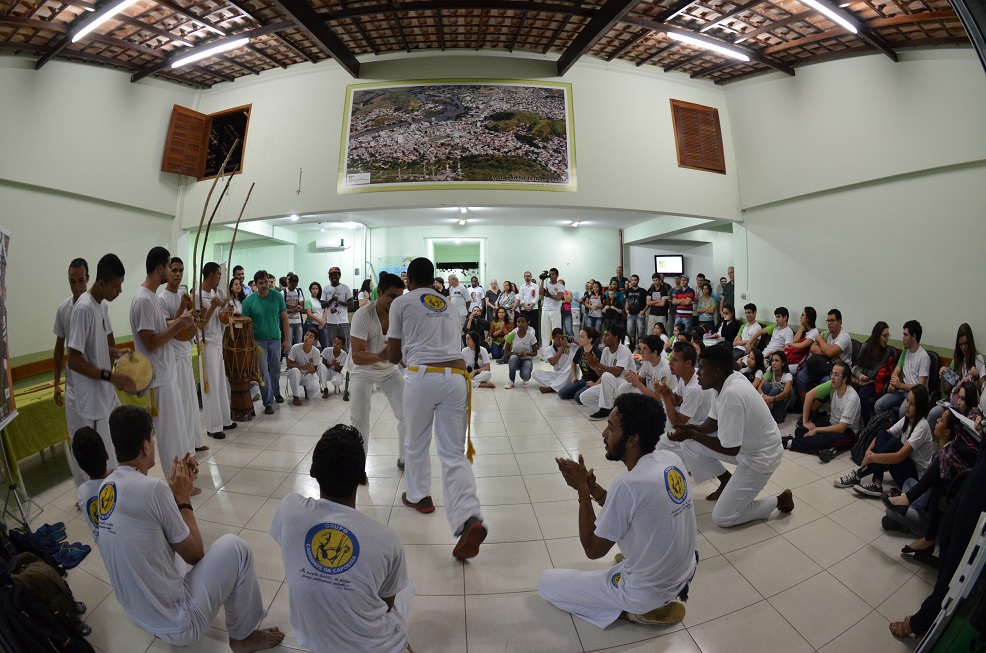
(270, 327)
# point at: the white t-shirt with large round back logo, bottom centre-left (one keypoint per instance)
(339, 564)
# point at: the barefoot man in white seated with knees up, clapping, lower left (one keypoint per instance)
(145, 524)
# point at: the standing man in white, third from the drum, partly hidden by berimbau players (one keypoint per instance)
(176, 303)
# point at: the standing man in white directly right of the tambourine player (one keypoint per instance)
(152, 338)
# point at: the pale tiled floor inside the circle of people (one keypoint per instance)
(825, 578)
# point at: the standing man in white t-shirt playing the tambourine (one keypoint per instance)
(92, 352)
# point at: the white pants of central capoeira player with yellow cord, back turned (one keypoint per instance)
(438, 400)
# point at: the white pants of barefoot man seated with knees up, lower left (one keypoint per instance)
(225, 577)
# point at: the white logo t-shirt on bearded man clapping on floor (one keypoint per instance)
(649, 514)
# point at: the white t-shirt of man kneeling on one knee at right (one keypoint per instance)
(746, 422)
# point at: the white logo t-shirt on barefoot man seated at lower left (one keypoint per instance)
(138, 523)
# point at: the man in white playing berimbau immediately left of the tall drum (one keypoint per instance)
(213, 382)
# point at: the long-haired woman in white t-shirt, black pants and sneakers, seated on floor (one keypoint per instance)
(904, 449)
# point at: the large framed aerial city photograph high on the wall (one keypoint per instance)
(458, 134)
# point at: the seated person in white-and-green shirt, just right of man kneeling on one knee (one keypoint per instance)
(827, 435)
